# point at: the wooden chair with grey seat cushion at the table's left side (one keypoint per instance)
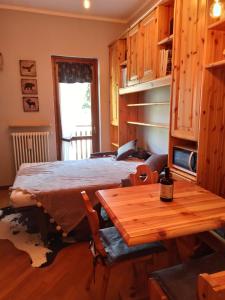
(108, 248)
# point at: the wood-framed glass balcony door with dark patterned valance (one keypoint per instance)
(76, 107)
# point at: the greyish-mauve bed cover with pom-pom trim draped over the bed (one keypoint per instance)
(57, 185)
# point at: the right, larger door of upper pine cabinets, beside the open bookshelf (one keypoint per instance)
(148, 48)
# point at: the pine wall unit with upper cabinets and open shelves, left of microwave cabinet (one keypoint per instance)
(144, 80)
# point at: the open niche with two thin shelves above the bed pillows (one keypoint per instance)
(145, 116)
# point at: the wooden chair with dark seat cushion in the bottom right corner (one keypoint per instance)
(191, 280)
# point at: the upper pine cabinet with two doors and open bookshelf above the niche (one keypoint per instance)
(149, 46)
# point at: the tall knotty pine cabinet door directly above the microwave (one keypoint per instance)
(188, 68)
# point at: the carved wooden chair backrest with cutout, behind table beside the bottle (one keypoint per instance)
(144, 175)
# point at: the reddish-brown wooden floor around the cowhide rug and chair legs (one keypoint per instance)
(64, 279)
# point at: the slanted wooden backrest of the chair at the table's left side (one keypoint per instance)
(94, 224)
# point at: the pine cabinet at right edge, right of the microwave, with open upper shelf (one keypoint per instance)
(211, 166)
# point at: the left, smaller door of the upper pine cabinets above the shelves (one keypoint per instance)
(132, 59)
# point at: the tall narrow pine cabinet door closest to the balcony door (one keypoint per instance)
(116, 57)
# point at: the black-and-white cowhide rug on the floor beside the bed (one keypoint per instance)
(13, 228)
